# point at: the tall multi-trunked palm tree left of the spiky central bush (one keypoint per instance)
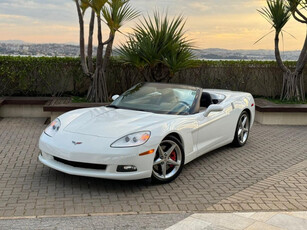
(115, 13)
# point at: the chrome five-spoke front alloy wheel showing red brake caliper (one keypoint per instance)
(168, 159)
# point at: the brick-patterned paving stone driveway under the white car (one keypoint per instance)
(269, 173)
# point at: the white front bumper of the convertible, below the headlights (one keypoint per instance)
(94, 150)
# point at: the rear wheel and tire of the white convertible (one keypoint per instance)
(242, 130)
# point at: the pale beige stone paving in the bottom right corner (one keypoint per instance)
(244, 221)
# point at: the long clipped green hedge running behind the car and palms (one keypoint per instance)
(44, 76)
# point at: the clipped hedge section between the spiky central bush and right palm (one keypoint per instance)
(261, 78)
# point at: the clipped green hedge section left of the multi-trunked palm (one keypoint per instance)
(43, 76)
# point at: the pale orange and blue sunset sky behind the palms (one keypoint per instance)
(234, 24)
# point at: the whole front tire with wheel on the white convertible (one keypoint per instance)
(168, 161)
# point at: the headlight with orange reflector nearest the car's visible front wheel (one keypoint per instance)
(132, 140)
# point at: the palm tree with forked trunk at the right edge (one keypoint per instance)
(278, 13)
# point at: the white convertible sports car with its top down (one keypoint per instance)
(150, 131)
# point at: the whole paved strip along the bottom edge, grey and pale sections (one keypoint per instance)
(162, 221)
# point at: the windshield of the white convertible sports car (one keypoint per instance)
(158, 98)
